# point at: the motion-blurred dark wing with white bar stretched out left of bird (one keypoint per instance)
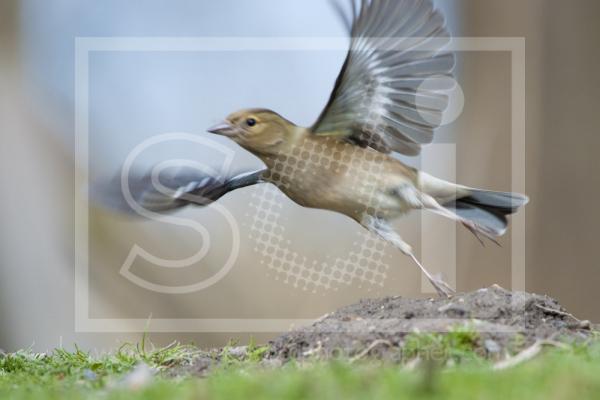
(184, 187)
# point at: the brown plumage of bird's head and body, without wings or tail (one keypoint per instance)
(323, 172)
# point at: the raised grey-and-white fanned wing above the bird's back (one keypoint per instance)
(393, 87)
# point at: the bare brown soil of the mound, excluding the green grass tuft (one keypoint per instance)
(380, 327)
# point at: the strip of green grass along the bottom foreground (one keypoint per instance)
(565, 373)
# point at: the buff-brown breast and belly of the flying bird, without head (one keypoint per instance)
(344, 179)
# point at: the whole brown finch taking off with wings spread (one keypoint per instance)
(388, 99)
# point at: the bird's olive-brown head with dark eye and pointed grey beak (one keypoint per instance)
(257, 130)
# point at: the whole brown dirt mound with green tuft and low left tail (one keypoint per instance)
(493, 323)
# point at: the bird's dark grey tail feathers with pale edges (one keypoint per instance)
(485, 211)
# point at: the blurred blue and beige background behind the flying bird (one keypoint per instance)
(135, 96)
